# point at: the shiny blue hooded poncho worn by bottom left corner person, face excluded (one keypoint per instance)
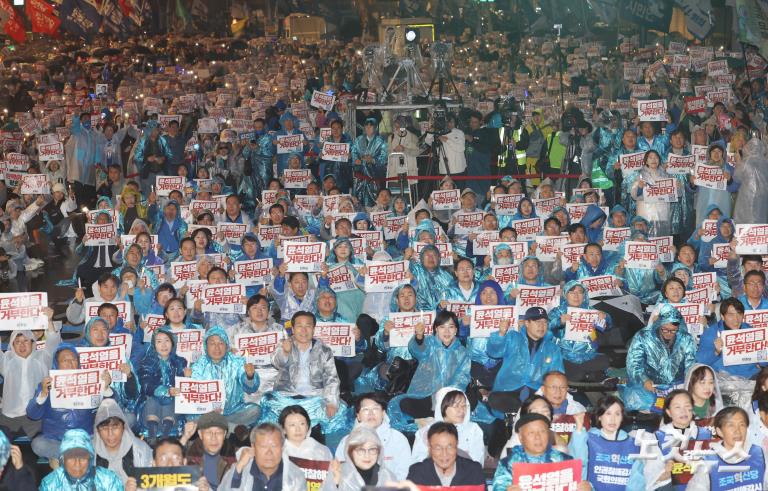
(97, 478)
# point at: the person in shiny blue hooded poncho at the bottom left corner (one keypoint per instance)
(79, 470)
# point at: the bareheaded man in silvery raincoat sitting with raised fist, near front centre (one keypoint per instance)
(306, 374)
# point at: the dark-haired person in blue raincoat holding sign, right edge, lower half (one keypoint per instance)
(711, 344)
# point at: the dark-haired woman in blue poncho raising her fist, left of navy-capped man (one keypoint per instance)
(442, 362)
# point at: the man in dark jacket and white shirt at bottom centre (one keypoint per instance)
(444, 467)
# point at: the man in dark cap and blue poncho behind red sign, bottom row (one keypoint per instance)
(535, 448)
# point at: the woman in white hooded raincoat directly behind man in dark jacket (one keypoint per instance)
(452, 406)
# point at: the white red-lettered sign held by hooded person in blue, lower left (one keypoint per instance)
(76, 389)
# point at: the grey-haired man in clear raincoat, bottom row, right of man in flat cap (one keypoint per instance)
(263, 465)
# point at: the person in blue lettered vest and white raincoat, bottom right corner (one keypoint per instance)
(735, 463)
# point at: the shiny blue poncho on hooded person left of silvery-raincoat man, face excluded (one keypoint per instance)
(231, 369)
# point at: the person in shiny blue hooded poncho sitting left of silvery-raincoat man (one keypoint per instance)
(239, 377)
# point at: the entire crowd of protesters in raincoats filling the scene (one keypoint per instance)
(448, 407)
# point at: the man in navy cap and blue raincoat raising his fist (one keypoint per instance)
(532, 347)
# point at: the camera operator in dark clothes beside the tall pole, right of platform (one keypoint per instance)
(577, 138)
